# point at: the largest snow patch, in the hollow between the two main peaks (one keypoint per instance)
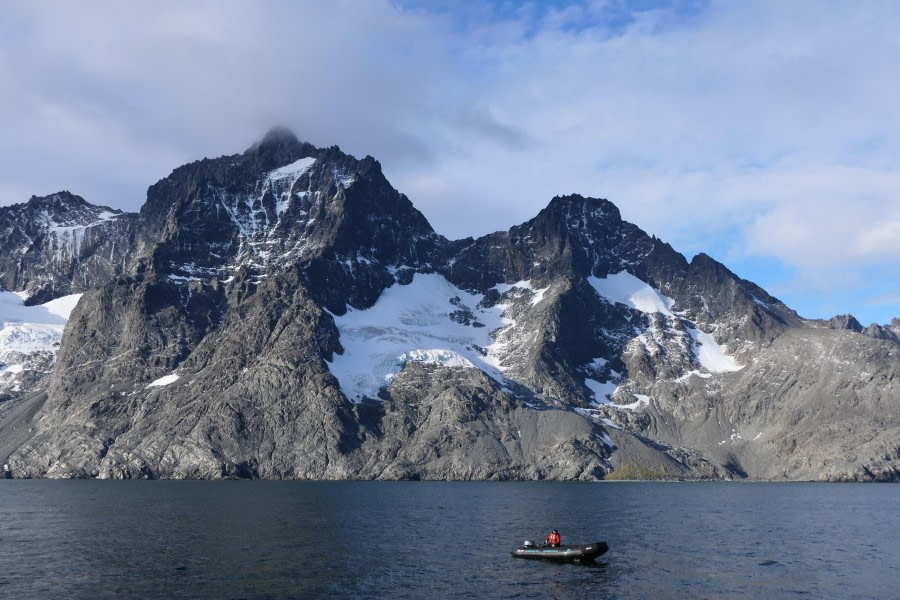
(430, 320)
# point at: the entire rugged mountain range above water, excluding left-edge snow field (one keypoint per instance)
(285, 313)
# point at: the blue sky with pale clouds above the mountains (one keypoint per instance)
(765, 134)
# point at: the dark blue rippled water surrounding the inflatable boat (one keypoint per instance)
(168, 539)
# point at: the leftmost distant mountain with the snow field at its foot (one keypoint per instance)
(53, 247)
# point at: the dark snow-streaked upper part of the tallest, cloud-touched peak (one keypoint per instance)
(280, 204)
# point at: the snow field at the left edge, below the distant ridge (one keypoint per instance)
(29, 336)
